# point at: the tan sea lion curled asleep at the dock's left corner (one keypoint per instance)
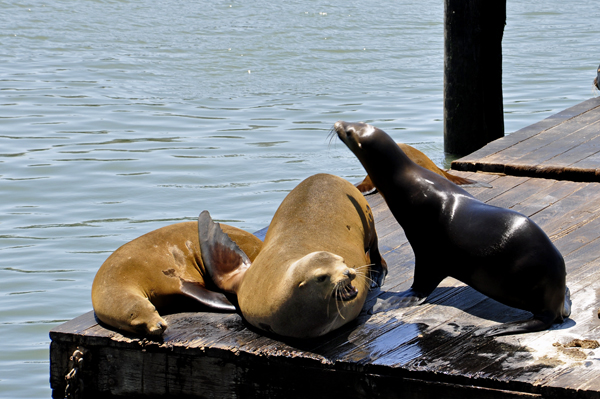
(154, 271)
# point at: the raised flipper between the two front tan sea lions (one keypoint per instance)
(223, 260)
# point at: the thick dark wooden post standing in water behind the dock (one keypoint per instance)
(473, 111)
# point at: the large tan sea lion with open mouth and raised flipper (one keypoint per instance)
(312, 274)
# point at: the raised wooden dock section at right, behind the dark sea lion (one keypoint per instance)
(565, 146)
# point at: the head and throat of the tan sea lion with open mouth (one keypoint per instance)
(323, 294)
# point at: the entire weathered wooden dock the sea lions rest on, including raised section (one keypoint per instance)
(427, 351)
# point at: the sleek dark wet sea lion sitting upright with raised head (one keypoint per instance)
(499, 252)
